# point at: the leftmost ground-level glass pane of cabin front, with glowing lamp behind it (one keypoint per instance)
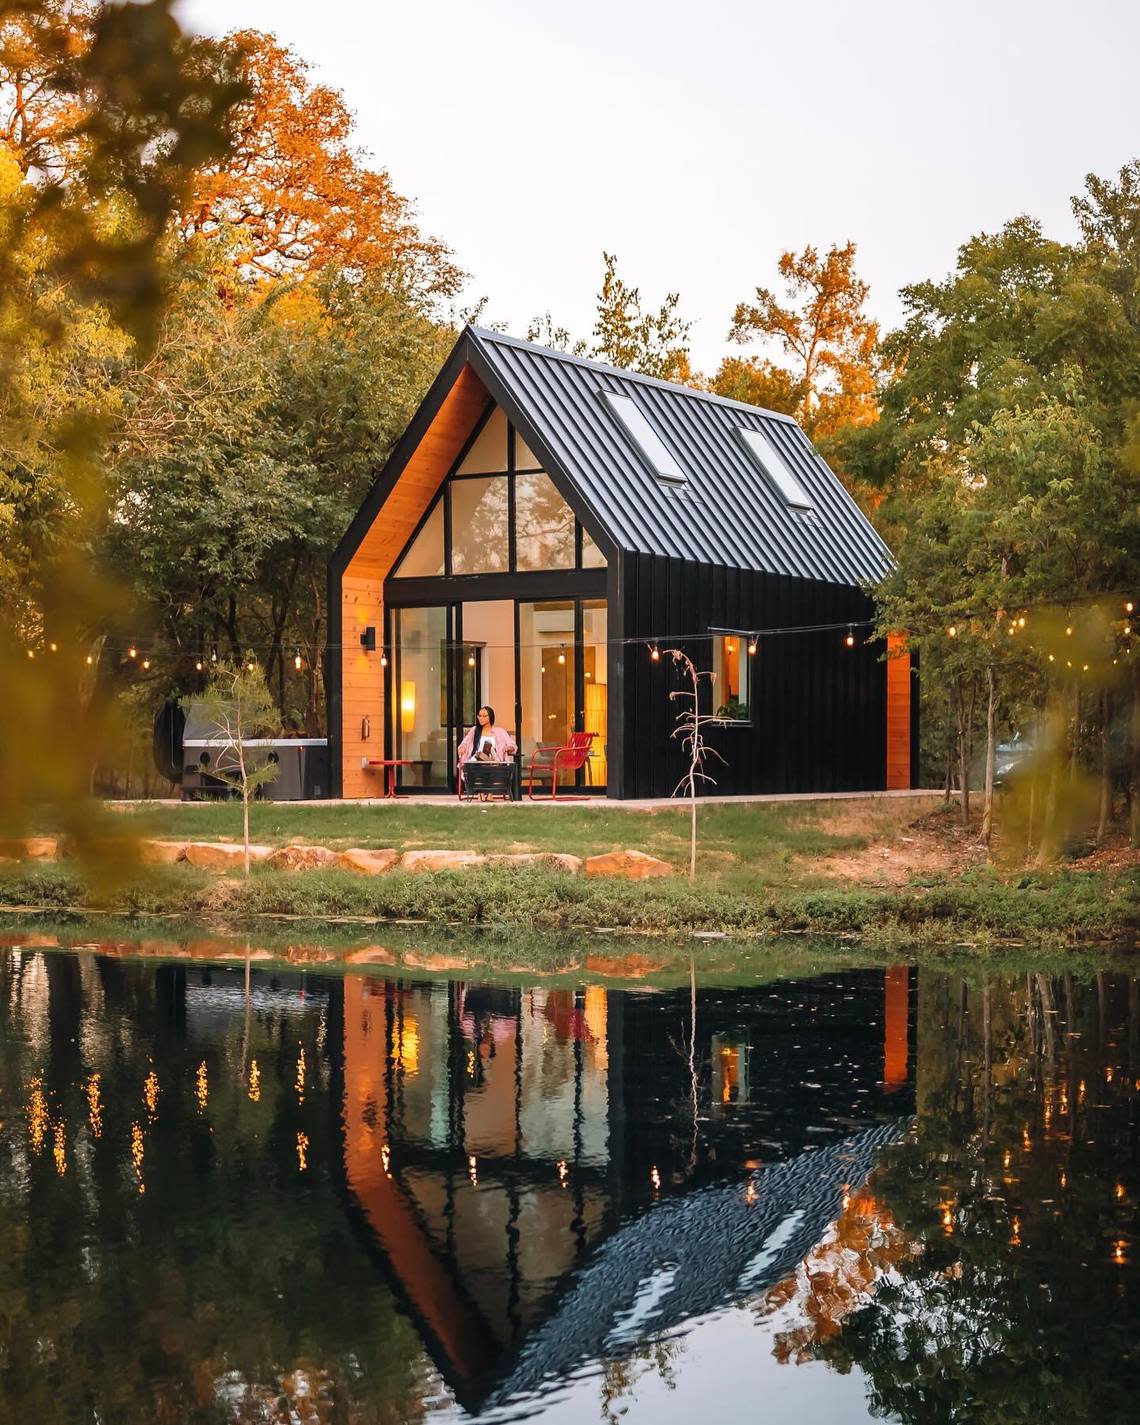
(420, 696)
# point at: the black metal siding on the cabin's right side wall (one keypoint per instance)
(819, 708)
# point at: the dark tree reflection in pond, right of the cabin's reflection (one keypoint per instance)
(1018, 1299)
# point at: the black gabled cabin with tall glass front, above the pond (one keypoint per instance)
(542, 519)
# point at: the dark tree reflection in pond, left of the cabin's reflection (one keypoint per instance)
(232, 1289)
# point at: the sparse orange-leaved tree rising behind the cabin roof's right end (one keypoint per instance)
(824, 334)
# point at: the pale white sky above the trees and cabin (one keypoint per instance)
(700, 139)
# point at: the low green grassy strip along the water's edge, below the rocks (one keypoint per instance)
(977, 907)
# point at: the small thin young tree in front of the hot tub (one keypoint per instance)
(237, 708)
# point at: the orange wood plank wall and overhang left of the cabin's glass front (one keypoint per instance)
(363, 582)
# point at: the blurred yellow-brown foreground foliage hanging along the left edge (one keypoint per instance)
(79, 253)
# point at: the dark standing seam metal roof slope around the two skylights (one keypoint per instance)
(727, 512)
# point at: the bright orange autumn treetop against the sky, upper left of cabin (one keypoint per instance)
(297, 193)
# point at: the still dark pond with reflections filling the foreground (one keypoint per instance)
(243, 1193)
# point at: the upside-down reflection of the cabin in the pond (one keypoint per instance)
(495, 1141)
